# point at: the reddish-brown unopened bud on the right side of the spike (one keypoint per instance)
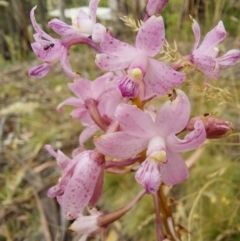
(215, 128)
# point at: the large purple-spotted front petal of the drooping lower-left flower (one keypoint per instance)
(81, 186)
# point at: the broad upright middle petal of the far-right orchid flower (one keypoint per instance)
(212, 38)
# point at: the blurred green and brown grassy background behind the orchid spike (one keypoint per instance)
(206, 206)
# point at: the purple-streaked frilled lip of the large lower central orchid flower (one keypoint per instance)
(148, 175)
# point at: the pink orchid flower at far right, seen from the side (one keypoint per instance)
(205, 57)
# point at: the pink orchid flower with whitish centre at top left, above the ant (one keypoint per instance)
(83, 24)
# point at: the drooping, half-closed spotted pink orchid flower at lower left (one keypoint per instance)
(81, 183)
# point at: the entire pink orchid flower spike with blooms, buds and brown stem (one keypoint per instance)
(129, 135)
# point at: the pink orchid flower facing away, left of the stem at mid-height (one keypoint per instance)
(105, 95)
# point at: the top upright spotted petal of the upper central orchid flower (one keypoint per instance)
(151, 36)
